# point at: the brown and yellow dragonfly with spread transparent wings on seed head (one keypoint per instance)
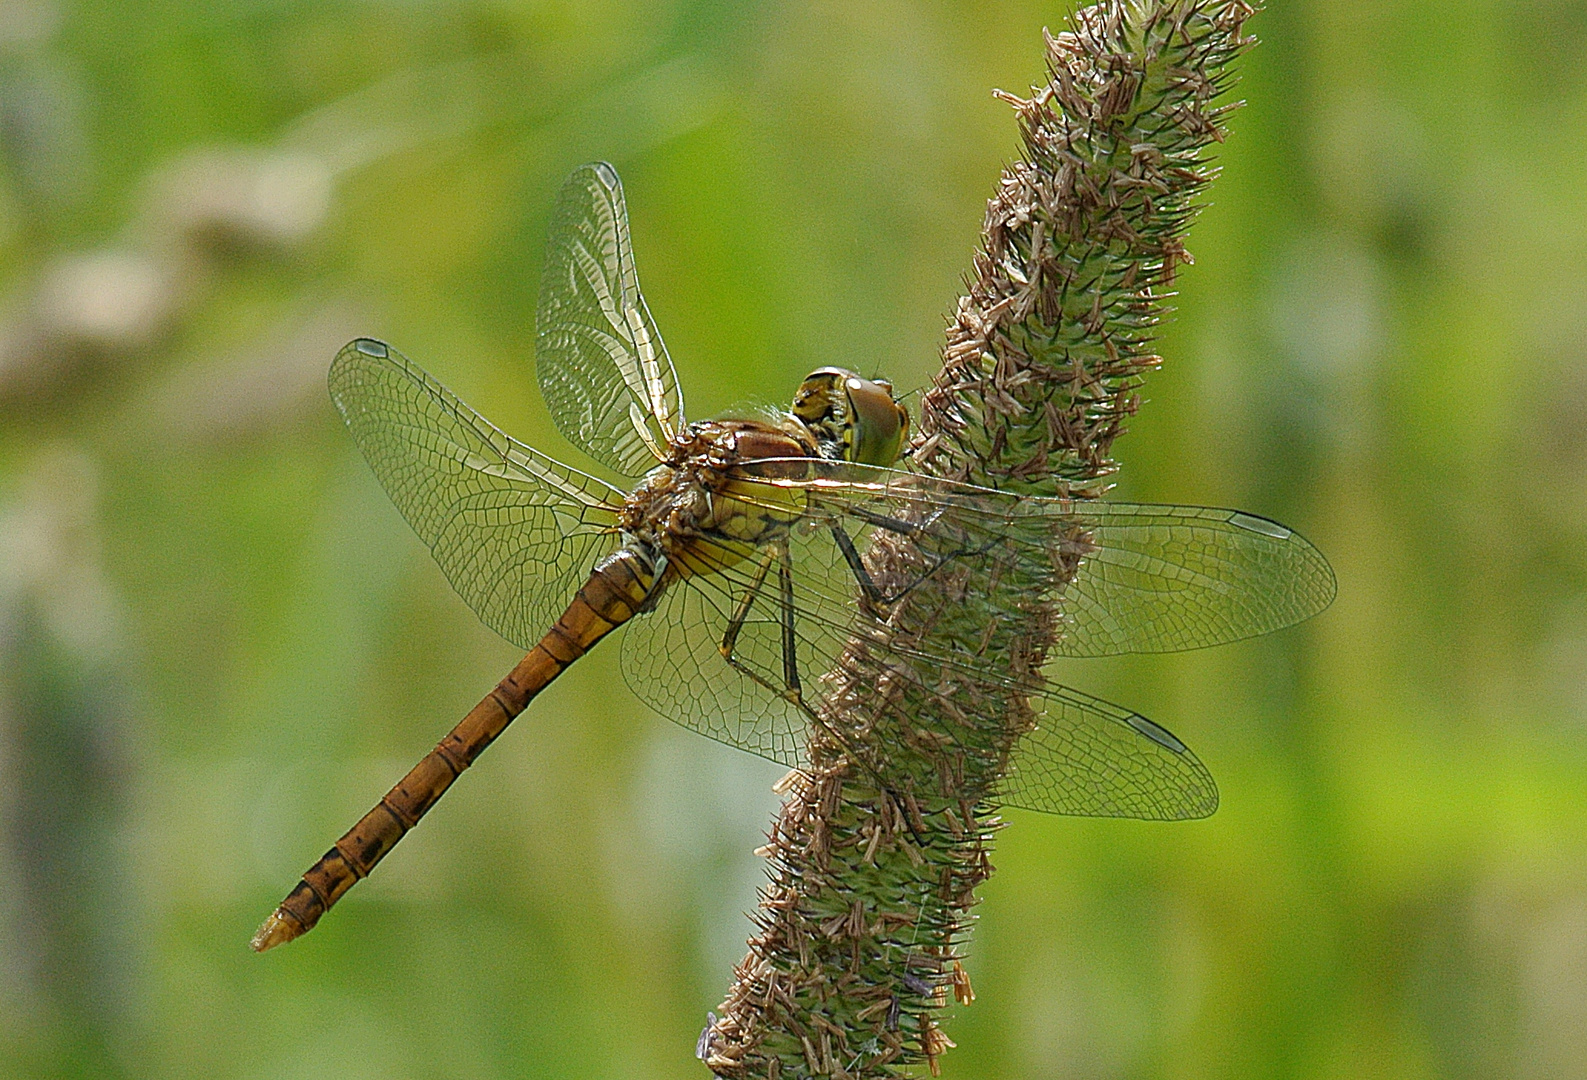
(732, 556)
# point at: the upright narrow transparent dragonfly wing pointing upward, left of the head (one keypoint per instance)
(602, 366)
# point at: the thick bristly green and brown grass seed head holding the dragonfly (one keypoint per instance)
(874, 870)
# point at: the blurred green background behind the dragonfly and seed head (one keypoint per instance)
(220, 645)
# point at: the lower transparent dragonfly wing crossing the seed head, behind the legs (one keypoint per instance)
(1085, 757)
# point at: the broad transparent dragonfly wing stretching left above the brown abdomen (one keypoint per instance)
(513, 530)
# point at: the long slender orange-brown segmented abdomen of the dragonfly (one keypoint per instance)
(613, 594)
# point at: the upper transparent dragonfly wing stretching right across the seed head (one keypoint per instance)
(1145, 578)
